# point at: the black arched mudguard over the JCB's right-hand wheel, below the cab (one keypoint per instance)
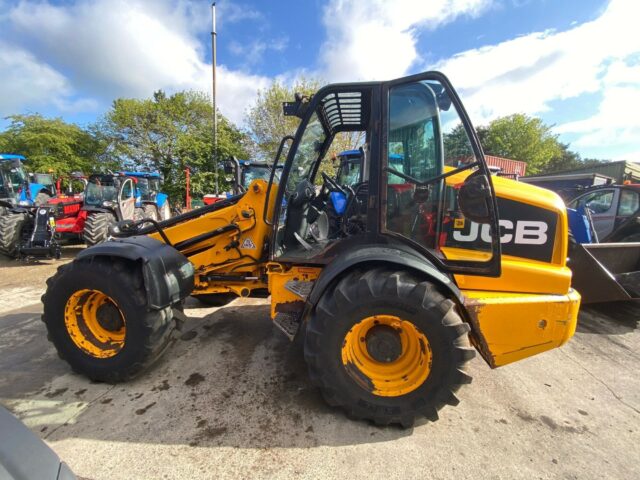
(391, 255)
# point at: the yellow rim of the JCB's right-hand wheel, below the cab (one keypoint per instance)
(387, 355)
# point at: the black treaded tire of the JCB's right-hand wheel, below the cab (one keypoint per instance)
(380, 291)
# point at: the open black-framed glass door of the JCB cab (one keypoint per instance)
(436, 191)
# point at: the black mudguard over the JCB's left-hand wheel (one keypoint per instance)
(168, 275)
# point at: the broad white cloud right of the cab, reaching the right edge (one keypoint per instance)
(527, 73)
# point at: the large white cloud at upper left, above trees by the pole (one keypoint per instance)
(110, 48)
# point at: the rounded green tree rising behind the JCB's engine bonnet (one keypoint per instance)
(524, 138)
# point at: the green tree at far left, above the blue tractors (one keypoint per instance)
(53, 145)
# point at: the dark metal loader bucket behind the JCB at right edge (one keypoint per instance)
(606, 272)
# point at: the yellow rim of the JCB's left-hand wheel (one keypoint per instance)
(95, 323)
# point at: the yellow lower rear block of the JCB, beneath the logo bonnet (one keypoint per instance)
(510, 326)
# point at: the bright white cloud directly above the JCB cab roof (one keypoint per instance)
(376, 40)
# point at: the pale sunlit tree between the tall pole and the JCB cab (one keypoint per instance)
(266, 121)
